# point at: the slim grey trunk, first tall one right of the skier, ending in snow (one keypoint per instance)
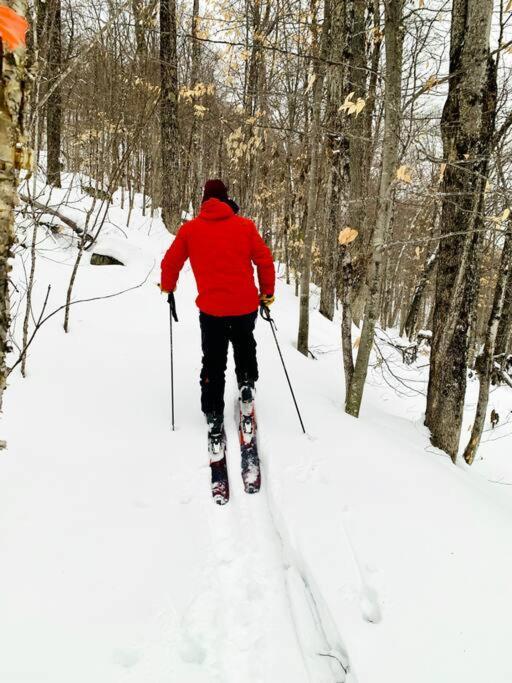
(309, 232)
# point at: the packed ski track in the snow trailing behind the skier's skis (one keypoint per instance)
(268, 613)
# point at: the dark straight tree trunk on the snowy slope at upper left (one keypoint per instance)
(54, 104)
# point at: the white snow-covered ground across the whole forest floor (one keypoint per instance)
(366, 551)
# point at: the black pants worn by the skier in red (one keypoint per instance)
(216, 333)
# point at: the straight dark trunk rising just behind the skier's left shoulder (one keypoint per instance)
(169, 129)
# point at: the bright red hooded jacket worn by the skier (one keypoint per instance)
(221, 247)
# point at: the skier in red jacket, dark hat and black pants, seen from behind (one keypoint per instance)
(222, 247)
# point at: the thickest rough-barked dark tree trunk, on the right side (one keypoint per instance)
(467, 127)
